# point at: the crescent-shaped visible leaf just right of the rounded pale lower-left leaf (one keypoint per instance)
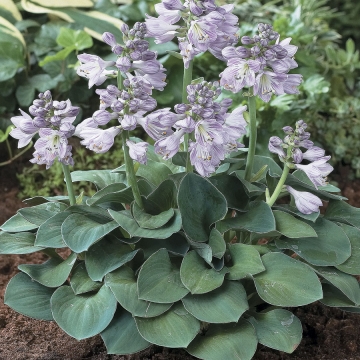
(122, 283)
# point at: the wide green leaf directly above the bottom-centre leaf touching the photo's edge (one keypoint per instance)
(225, 304)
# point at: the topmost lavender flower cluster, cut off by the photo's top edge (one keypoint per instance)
(206, 26)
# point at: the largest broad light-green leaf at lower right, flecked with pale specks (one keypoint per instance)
(287, 282)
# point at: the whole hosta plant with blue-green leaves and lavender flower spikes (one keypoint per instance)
(186, 245)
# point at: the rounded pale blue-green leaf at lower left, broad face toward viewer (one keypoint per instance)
(83, 316)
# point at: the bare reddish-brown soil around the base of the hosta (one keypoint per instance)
(329, 334)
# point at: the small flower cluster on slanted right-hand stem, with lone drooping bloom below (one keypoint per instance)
(317, 169)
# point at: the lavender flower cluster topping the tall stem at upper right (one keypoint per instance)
(264, 65)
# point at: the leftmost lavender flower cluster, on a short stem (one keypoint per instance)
(53, 122)
